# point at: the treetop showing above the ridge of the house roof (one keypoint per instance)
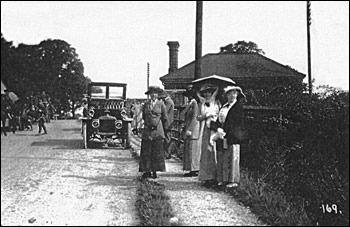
(242, 47)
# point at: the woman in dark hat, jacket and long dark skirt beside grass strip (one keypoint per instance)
(152, 152)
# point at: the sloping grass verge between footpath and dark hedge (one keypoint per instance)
(270, 206)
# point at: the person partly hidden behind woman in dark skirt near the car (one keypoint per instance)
(169, 104)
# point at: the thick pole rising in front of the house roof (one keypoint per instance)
(199, 17)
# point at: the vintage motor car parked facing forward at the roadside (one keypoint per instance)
(106, 117)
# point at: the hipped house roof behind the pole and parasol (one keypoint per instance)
(233, 65)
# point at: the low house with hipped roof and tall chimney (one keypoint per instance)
(254, 72)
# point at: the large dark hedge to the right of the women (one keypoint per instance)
(305, 154)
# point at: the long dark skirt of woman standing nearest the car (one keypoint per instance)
(152, 156)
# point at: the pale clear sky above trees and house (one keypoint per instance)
(115, 40)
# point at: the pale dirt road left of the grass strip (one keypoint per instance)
(50, 180)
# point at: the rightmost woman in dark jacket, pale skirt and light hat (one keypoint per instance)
(229, 126)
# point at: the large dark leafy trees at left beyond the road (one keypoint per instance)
(52, 66)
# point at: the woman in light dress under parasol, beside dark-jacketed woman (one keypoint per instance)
(208, 111)
